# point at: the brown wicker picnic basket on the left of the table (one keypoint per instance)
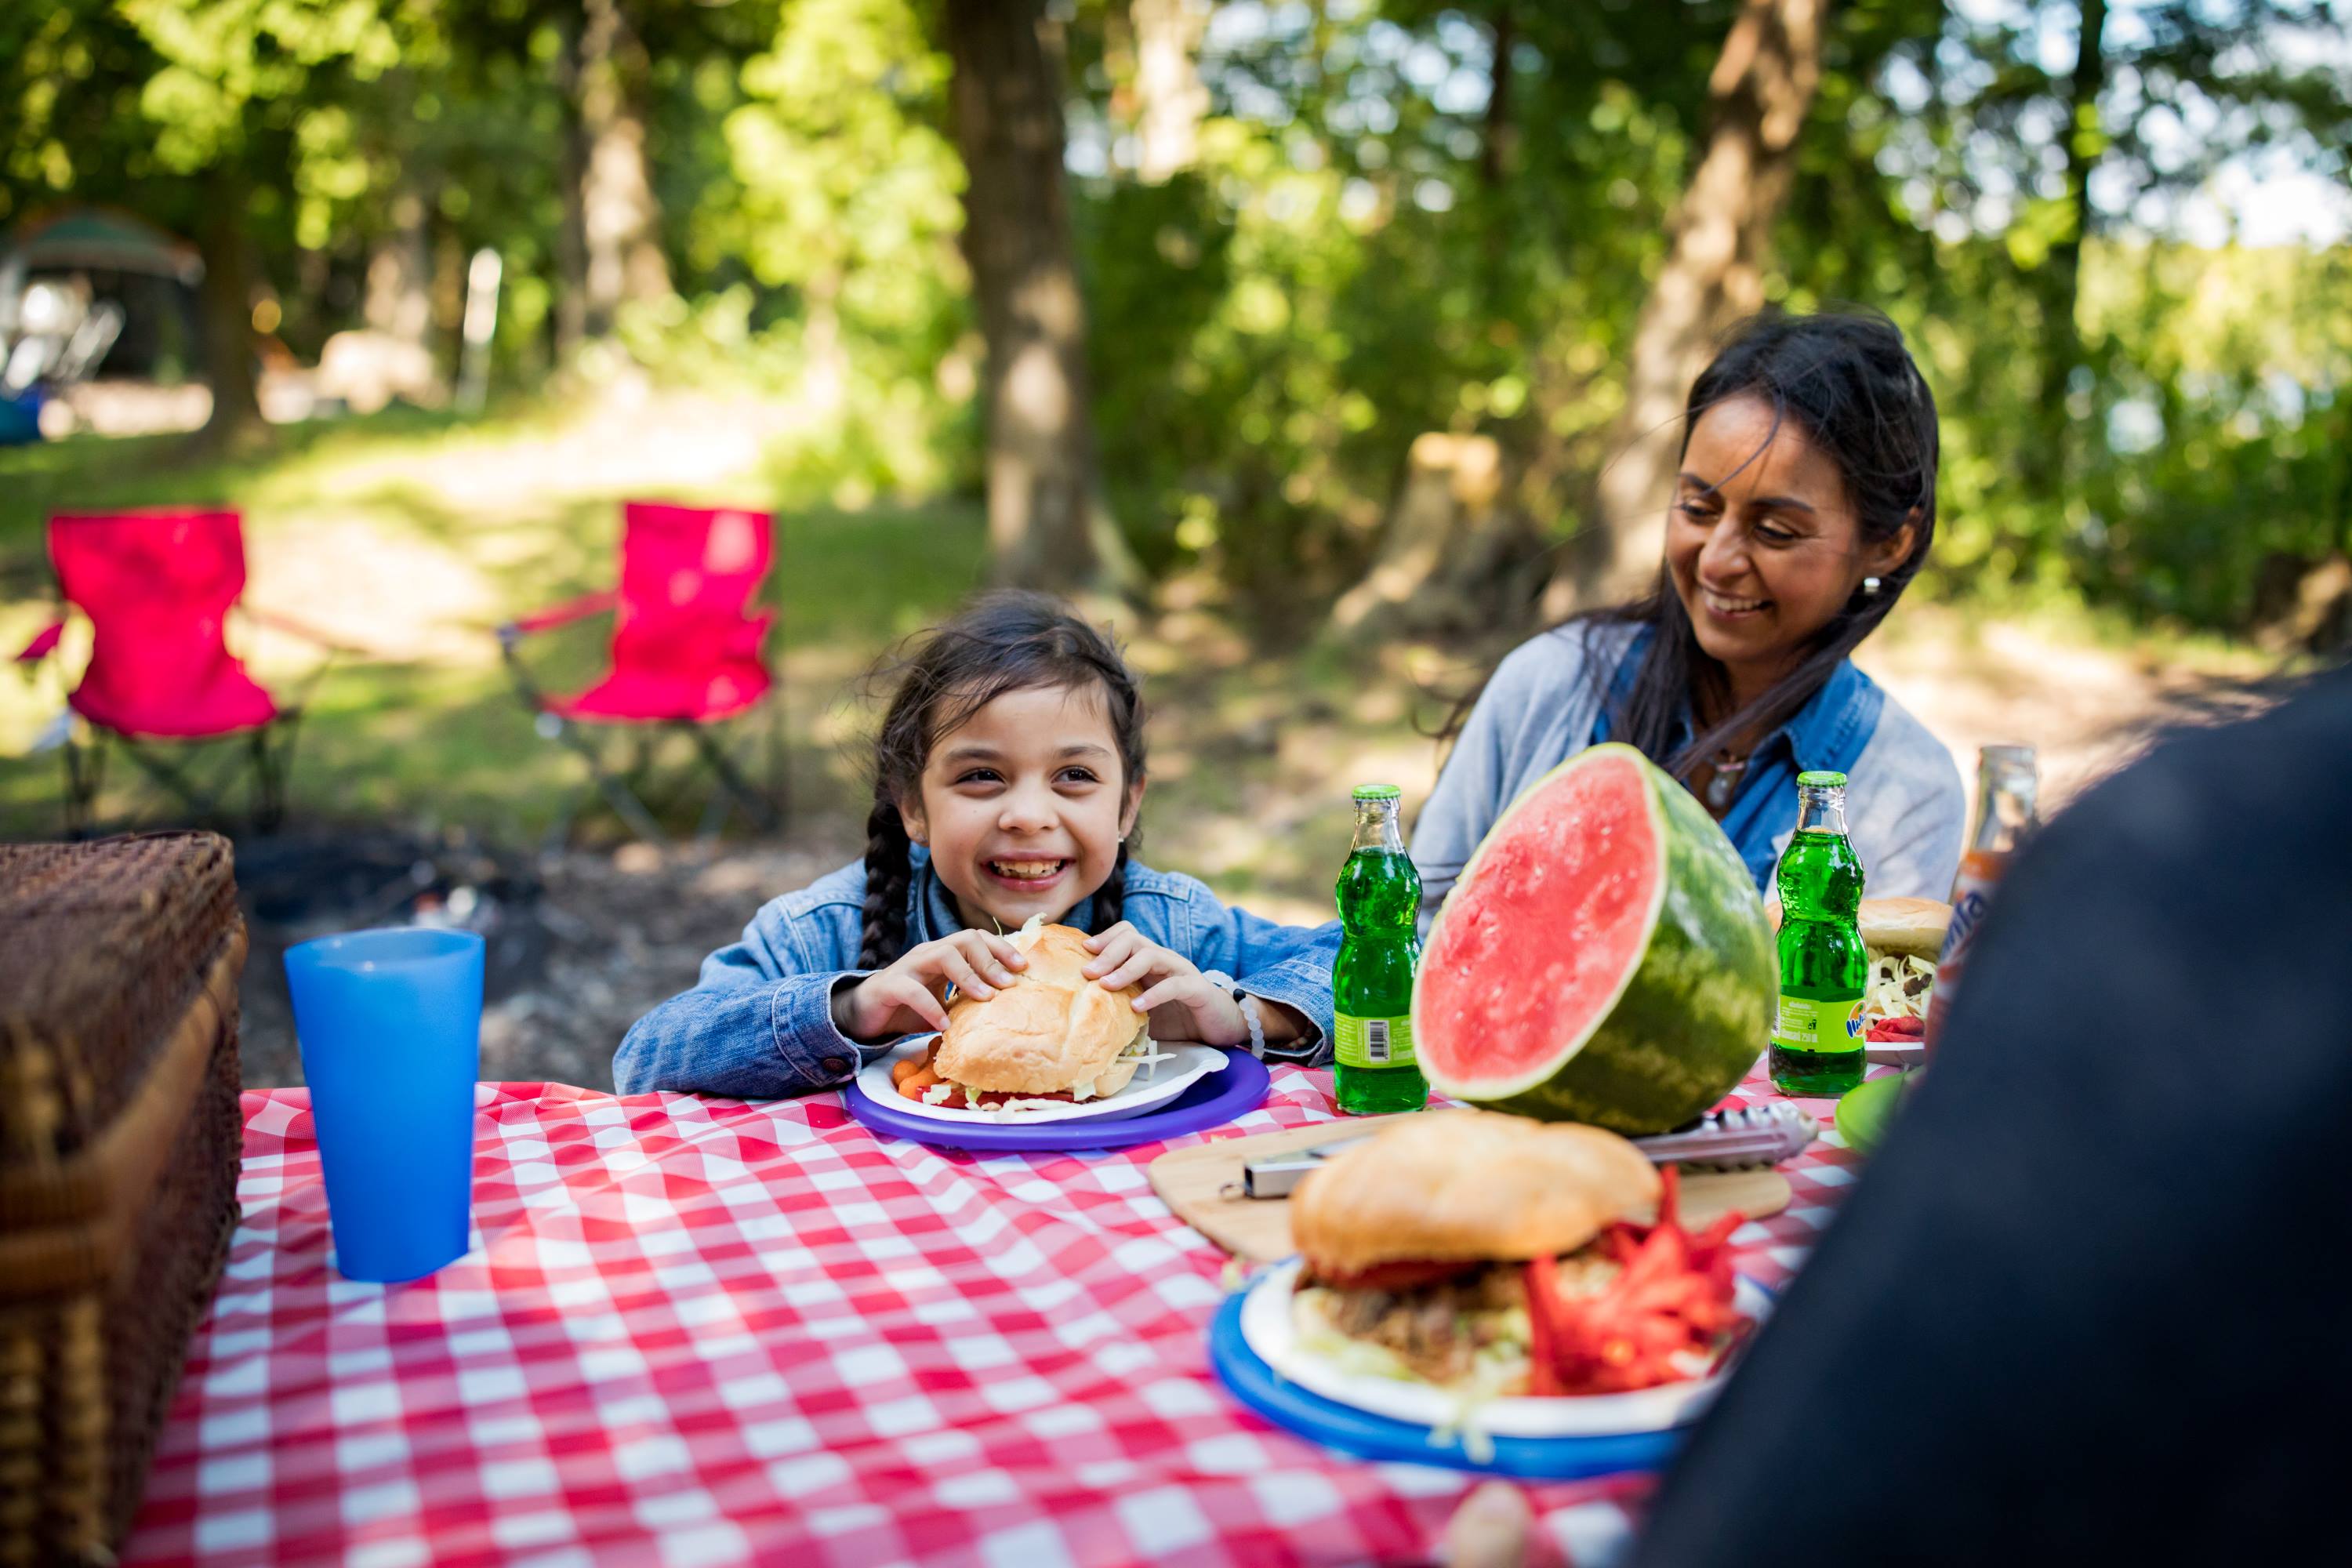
(119, 1167)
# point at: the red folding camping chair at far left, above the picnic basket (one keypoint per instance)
(159, 589)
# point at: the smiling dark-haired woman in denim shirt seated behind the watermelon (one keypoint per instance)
(1803, 509)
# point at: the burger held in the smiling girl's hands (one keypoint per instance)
(1053, 1036)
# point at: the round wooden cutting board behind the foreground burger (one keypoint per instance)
(1203, 1186)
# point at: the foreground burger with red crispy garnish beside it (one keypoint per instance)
(1492, 1254)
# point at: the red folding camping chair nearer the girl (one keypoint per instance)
(686, 655)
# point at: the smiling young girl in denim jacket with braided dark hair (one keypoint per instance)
(1008, 782)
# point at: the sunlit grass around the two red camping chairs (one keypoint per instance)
(441, 737)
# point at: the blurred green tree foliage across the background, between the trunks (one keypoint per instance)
(1365, 248)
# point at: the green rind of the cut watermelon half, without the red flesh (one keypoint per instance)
(1685, 1021)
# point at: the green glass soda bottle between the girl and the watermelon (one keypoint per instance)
(1372, 981)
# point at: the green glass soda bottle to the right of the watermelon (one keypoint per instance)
(1817, 1040)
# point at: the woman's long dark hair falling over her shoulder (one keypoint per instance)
(1850, 384)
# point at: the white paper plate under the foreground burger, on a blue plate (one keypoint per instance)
(1267, 1329)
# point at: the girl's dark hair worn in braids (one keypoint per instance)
(1001, 643)
